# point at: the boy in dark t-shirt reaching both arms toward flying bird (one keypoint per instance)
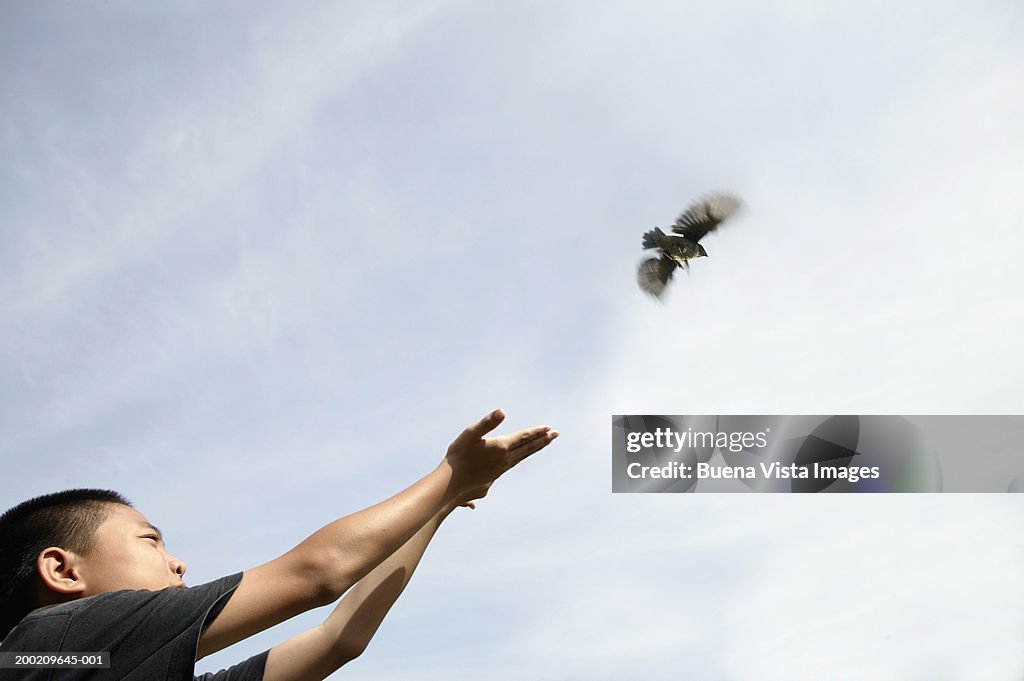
(109, 584)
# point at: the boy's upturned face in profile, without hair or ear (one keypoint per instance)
(129, 554)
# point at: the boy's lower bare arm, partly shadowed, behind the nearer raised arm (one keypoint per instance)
(346, 634)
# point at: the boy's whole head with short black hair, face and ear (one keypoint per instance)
(75, 544)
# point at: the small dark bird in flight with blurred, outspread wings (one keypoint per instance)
(705, 216)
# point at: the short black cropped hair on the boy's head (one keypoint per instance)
(68, 520)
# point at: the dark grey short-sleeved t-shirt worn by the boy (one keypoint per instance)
(151, 635)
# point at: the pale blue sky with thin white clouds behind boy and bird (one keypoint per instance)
(261, 264)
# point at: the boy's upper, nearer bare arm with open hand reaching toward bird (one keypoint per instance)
(321, 569)
